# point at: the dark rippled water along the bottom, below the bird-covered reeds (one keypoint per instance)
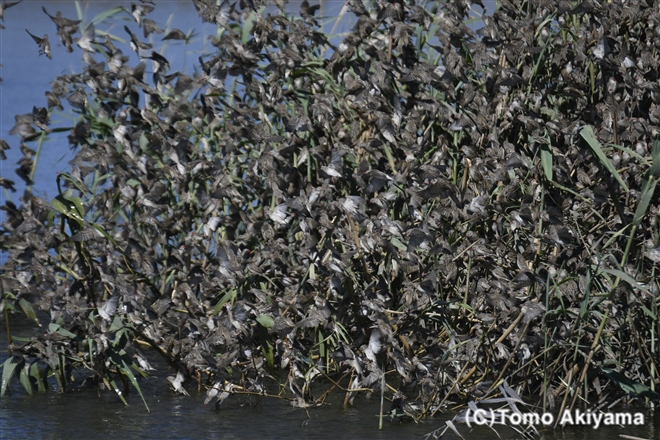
(87, 414)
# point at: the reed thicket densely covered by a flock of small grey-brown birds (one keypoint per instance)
(414, 202)
